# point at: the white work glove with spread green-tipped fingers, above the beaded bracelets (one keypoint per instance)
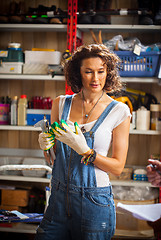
(75, 140)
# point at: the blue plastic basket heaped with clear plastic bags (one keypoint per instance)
(137, 60)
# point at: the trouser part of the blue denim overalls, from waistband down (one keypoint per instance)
(79, 214)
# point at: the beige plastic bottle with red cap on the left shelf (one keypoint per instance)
(22, 105)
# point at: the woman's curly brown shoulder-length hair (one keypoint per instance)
(112, 61)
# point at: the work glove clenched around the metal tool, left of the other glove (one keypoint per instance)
(46, 140)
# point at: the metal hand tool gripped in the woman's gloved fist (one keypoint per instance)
(44, 125)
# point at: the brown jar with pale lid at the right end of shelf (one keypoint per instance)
(155, 110)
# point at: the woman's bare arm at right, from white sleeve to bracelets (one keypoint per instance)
(116, 163)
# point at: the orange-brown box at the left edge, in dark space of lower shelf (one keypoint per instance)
(14, 197)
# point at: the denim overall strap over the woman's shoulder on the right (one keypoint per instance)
(103, 115)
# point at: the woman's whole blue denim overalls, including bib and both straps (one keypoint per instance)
(78, 209)
